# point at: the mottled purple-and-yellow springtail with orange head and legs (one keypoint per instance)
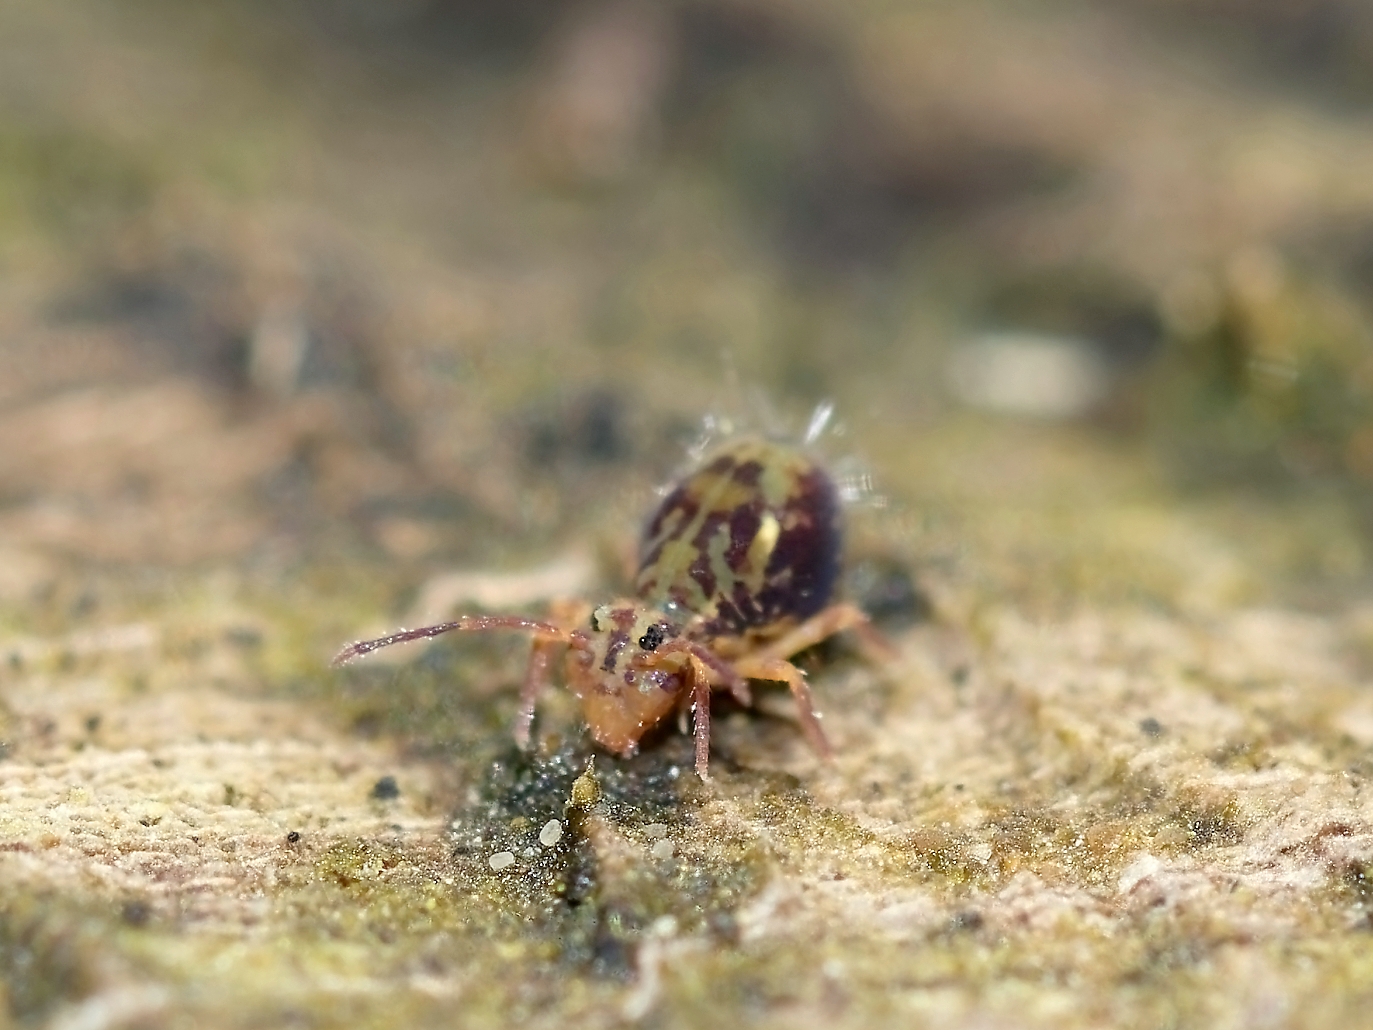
(738, 569)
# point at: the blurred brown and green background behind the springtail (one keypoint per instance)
(340, 292)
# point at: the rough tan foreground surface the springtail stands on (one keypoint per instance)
(1062, 807)
